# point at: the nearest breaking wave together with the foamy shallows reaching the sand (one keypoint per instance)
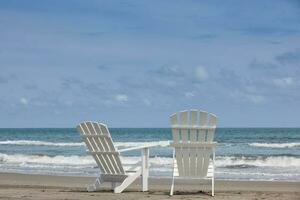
(254, 168)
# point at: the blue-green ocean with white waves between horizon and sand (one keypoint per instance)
(242, 153)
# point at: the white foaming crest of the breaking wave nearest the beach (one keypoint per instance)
(156, 162)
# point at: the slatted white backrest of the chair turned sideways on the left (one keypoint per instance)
(100, 145)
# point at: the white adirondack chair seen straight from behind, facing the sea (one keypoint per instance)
(194, 149)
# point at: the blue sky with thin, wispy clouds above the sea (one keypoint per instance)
(134, 63)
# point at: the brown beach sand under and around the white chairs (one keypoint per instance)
(22, 186)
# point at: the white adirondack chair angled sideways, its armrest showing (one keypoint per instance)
(100, 145)
